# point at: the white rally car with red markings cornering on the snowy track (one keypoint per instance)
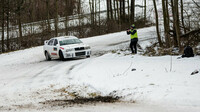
(65, 47)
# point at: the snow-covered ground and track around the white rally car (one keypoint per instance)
(144, 84)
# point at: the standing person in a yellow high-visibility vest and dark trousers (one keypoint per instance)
(134, 38)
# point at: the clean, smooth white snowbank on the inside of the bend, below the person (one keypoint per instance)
(150, 82)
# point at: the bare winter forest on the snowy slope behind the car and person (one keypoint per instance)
(27, 23)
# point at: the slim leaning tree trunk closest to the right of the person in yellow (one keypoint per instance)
(157, 24)
